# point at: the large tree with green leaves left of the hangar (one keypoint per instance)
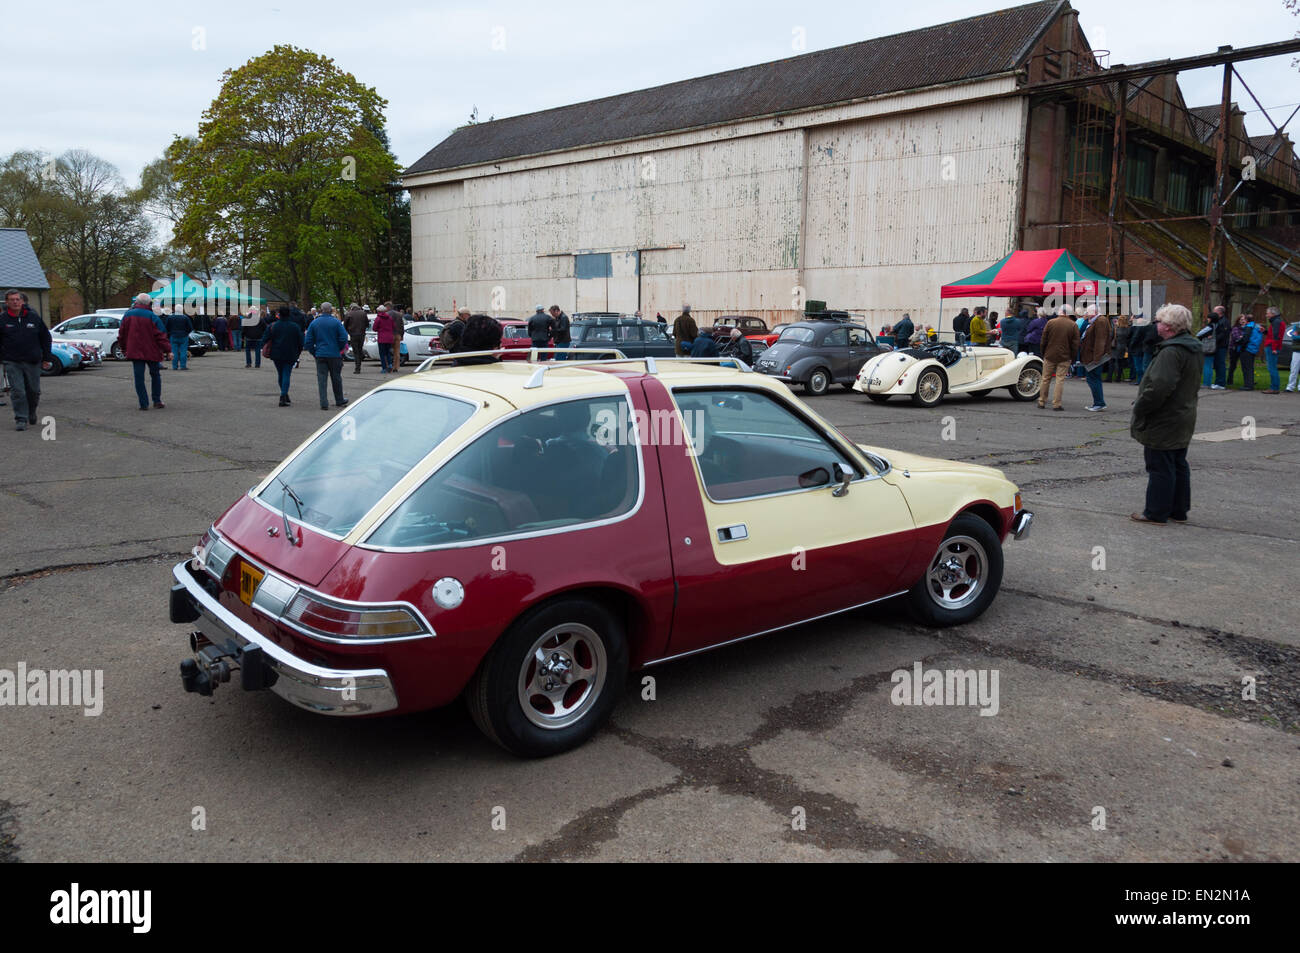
(289, 172)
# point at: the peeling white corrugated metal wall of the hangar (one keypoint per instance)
(896, 207)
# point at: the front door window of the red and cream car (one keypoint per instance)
(752, 444)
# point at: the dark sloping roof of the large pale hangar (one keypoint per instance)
(963, 50)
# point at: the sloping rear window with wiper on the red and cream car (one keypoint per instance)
(362, 456)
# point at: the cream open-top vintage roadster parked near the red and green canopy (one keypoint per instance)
(930, 371)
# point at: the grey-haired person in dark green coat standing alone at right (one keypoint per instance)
(1165, 417)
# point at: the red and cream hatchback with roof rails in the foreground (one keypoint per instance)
(525, 535)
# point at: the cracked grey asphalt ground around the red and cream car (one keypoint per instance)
(1121, 682)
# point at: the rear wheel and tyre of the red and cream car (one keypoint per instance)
(495, 695)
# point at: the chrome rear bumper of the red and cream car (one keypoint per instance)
(326, 691)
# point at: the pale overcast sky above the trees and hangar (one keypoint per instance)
(122, 80)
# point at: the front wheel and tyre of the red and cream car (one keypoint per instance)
(970, 545)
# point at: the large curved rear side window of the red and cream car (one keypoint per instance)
(556, 466)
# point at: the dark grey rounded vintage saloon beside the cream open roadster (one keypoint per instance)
(820, 353)
